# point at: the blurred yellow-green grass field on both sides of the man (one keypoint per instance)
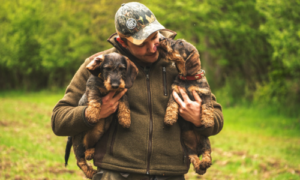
(255, 143)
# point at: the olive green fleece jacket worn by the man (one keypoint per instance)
(148, 146)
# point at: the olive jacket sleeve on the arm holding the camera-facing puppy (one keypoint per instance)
(68, 118)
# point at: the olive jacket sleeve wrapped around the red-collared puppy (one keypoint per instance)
(218, 119)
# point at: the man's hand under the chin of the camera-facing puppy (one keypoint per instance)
(110, 104)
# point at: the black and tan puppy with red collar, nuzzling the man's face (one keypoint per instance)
(191, 77)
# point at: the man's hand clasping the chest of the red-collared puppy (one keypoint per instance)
(188, 109)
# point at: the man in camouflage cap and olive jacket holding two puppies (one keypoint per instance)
(148, 149)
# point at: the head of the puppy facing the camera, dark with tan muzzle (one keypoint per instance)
(116, 71)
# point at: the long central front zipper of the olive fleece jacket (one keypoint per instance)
(151, 121)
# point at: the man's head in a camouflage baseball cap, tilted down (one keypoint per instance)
(137, 26)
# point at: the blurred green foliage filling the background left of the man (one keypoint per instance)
(46, 41)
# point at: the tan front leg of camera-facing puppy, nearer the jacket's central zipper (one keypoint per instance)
(124, 112)
